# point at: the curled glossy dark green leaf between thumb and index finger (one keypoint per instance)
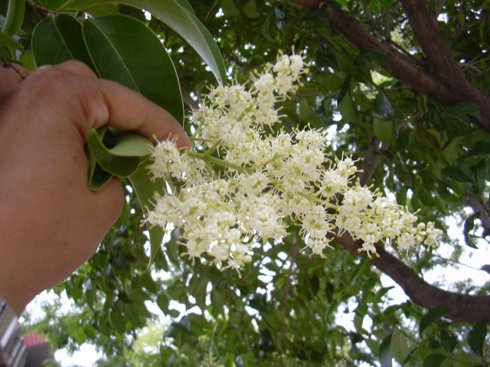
(117, 166)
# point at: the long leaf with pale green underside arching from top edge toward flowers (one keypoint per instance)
(177, 15)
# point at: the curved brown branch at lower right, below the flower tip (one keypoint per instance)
(465, 307)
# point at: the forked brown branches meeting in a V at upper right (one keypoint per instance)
(445, 81)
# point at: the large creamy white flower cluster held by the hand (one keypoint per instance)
(241, 184)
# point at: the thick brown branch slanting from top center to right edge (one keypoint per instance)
(407, 69)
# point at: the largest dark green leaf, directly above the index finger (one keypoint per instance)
(125, 50)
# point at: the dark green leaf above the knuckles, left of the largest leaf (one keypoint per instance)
(59, 39)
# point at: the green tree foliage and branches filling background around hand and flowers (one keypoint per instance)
(403, 86)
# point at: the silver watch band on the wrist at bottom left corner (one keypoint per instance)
(13, 352)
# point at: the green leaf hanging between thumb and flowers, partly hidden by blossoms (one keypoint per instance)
(146, 189)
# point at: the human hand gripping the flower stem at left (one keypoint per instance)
(50, 222)
